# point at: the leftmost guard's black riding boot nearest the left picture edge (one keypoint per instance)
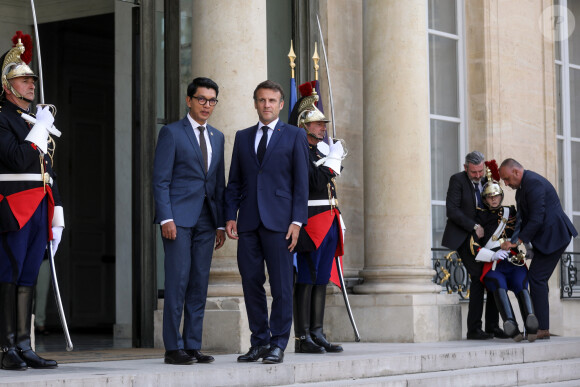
(10, 360)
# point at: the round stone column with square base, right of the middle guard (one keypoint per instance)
(397, 300)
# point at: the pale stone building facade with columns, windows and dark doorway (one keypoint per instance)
(416, 85)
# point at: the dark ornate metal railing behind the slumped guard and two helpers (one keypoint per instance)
(453, 278)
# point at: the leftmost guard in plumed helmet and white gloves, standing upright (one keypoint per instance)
(31, 212)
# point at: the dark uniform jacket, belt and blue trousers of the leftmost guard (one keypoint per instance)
(26, 203)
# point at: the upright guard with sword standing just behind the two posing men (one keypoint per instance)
(321, 240)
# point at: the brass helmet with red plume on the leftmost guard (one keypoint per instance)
(15, 61)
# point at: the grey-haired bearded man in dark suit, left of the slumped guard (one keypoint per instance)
(463, 197)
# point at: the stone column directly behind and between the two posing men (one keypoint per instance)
(238, 66)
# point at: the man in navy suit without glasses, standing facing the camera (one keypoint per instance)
(267, 194)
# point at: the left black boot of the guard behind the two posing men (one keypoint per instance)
(303, 343)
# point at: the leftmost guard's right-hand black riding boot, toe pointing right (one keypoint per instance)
(24, 307)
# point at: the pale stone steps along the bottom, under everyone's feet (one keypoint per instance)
(465, 363)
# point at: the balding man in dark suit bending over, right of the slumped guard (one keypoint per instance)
(545, 229)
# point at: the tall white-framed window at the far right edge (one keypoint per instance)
(567, 54)
